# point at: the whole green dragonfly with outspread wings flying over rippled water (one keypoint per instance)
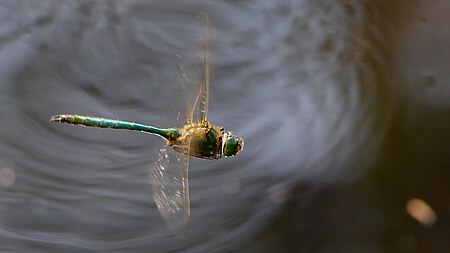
(198, 137)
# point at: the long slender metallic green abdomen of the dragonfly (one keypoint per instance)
(114, 124)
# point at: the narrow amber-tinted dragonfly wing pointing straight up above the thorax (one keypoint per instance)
(199, 111)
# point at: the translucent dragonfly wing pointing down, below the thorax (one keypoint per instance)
(169, 180)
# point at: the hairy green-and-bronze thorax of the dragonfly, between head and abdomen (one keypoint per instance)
(201, 139)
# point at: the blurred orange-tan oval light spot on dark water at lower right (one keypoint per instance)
(421, 211)
